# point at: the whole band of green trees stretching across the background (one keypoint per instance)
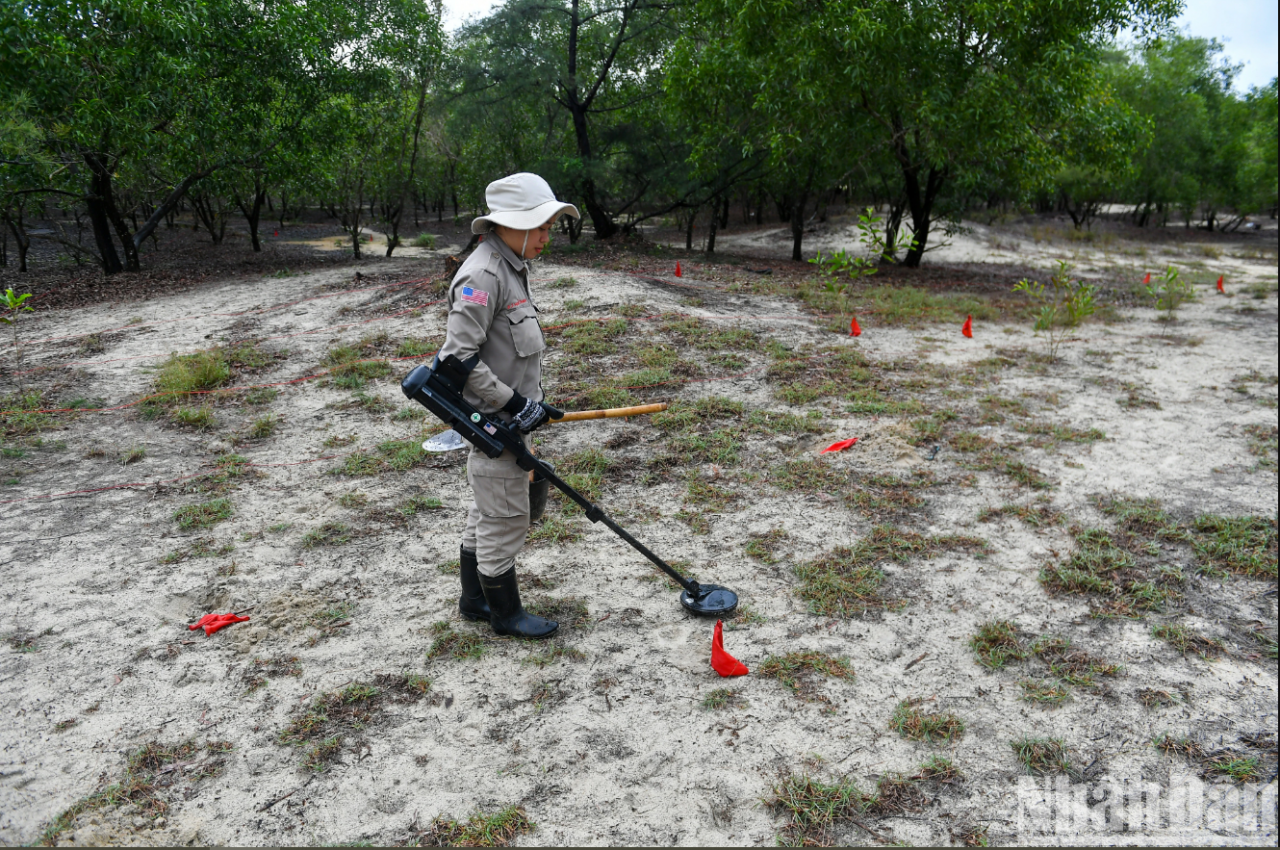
(634, 109)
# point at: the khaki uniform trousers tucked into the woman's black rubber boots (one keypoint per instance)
(499, 519)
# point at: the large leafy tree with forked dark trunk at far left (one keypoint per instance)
(157, 95)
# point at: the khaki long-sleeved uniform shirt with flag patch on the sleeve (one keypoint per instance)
(492, 313)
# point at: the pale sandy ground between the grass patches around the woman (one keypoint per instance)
(610, 744)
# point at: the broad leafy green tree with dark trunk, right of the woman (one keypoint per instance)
(958, 93)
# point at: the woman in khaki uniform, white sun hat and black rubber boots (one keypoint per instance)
(493, 330)
